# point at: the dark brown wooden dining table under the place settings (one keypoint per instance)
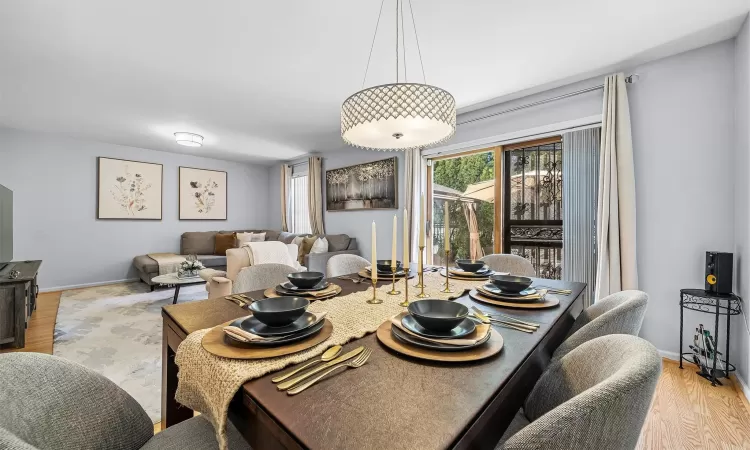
(393, 401)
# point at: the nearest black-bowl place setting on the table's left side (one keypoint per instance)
(278, 326)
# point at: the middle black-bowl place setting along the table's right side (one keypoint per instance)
(513, 292)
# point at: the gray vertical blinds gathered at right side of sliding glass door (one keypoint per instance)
(581, 175)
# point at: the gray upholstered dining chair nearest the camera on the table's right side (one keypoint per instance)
(595, 397)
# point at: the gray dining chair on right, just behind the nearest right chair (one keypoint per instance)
(618, 313)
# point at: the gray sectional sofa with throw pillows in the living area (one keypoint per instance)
(201, 243)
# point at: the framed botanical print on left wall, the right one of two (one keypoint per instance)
(203, 194)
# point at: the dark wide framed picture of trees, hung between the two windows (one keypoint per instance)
(367, 186)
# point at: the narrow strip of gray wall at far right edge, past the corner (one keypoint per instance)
(740, 340)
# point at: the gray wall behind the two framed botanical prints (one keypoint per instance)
(54, 184)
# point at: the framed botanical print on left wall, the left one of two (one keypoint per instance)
(130, 190)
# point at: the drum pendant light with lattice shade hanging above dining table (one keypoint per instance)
(400, 115)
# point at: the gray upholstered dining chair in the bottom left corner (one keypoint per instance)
(52, 403)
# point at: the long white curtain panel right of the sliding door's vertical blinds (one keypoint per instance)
(615, 216)
